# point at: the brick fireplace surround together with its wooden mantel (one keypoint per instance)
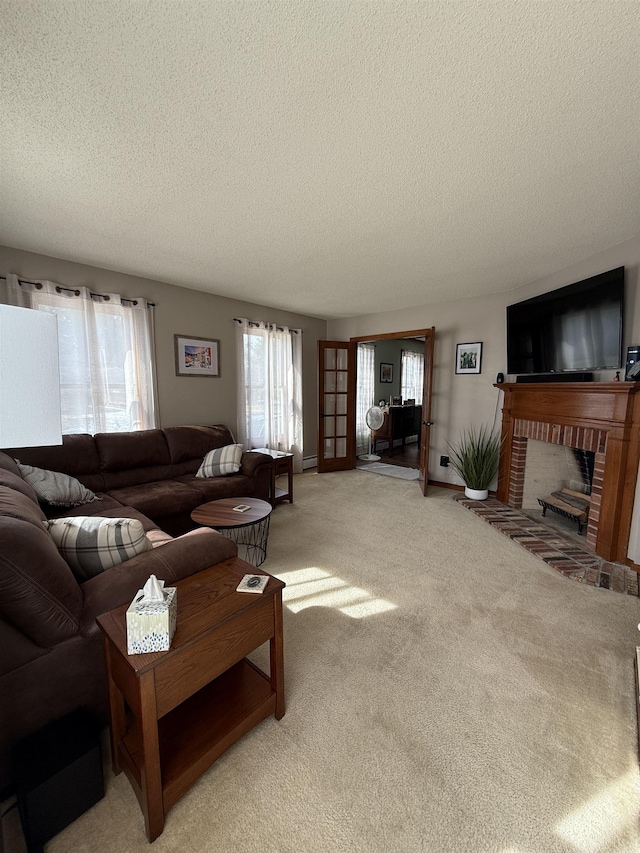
(602, 418)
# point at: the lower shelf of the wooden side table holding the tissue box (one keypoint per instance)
(201, 729)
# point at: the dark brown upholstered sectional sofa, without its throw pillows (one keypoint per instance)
(51, 659)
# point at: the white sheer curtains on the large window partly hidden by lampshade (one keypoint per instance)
(106, 353)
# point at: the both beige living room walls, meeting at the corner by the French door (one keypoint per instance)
(458, 400)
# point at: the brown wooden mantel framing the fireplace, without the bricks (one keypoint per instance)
(612, 410)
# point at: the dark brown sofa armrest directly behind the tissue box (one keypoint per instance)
(169, 562)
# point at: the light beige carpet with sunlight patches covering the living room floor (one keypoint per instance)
(446, 692)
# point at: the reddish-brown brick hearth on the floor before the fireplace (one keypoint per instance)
(563, 553)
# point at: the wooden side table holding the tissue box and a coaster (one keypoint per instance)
(185, 707)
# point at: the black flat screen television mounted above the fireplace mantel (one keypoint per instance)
(574, 328)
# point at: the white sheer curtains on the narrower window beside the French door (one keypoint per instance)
(269, 359)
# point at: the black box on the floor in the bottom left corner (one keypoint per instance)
(58, 772)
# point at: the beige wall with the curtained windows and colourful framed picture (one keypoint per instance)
(186, 399)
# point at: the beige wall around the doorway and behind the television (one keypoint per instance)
(459, 400)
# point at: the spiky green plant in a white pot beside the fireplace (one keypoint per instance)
(475, 457)
